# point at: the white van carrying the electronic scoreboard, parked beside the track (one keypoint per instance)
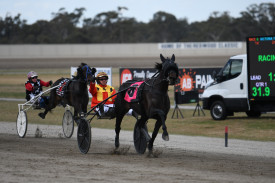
(233, 91)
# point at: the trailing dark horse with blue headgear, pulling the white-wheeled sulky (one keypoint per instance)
(75, 93)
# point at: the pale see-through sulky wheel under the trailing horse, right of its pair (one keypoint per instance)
(68, 124)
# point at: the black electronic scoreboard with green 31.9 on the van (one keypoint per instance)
(261, 68)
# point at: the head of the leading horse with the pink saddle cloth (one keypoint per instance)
(169, 68)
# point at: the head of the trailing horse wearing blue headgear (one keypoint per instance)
(86, 73)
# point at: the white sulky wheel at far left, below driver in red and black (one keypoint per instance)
(22, 124)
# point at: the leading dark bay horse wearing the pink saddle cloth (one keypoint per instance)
(154, 101)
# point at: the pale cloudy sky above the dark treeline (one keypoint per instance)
(141, 10)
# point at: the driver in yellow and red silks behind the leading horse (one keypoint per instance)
(102, 91)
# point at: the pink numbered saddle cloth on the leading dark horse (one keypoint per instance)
(133, 94)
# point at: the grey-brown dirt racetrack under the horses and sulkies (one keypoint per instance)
(52, 158)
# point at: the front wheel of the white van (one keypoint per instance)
(218, 111)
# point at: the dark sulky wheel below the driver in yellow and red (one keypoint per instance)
(84, 136)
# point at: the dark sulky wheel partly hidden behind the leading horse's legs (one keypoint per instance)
(140, 139)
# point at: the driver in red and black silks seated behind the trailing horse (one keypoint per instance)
(34, 87)
